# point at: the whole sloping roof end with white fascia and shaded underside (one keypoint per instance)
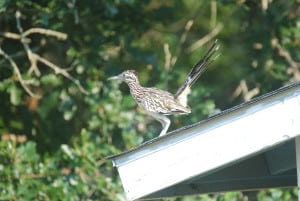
(249, 146)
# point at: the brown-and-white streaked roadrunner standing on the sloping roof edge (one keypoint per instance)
(159, 103)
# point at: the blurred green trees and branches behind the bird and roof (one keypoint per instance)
(59, 115)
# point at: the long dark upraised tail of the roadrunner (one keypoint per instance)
(196, 71)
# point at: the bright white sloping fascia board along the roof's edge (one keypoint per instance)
(220, 140)
